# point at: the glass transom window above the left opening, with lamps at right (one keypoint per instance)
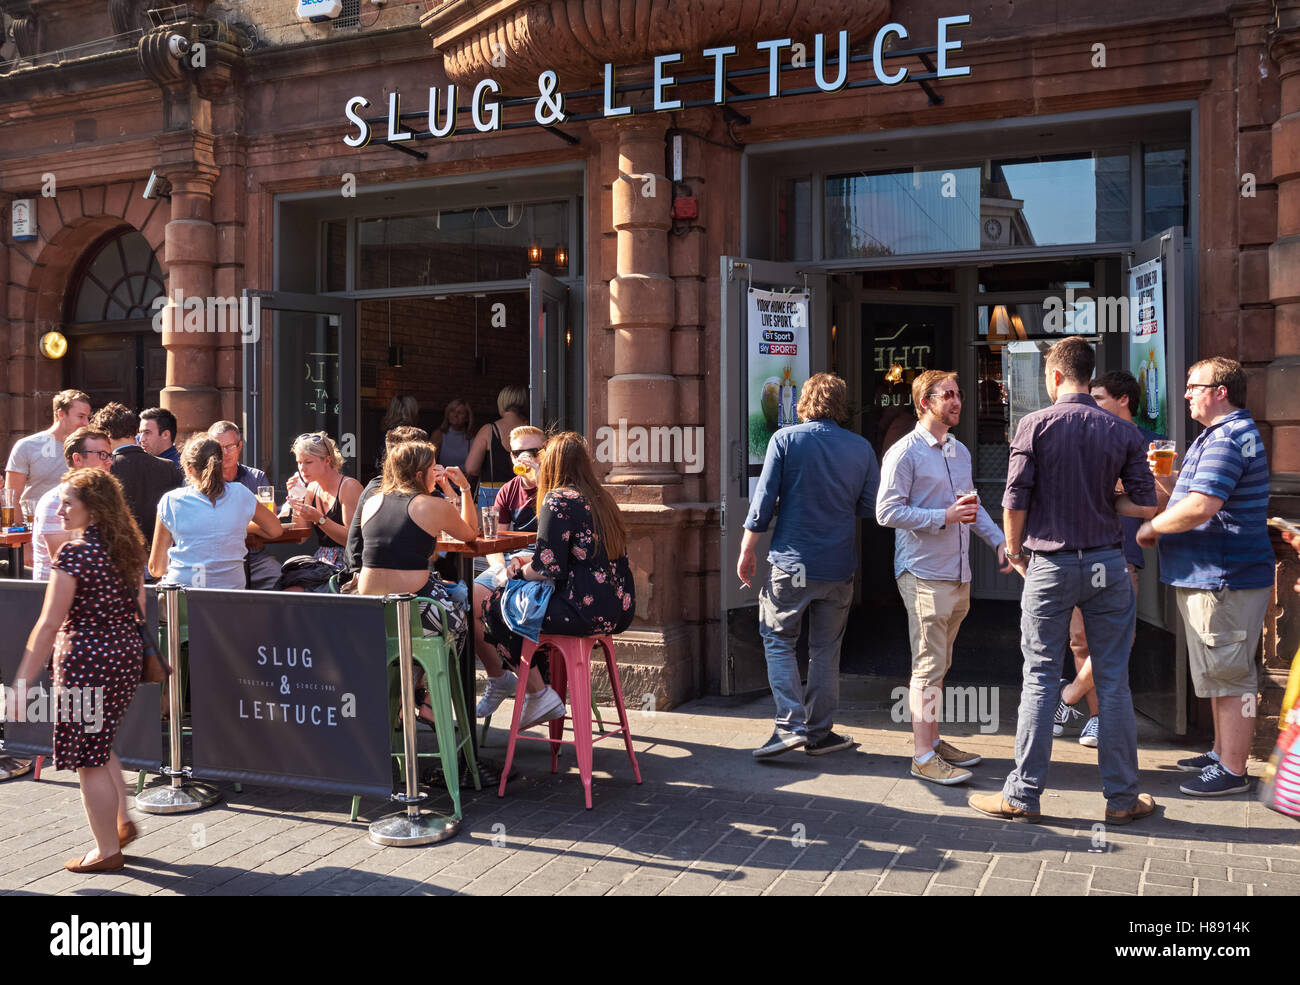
(465, 246)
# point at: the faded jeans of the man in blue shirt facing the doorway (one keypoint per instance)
(781, 614)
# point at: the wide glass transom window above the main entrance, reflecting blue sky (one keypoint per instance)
(999, 205)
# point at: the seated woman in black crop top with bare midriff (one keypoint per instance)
(401, 527)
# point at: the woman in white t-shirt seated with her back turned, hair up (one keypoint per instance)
(201, 530)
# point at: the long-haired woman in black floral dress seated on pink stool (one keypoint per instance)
(582, 546)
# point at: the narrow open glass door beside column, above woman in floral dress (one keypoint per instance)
(557, 361)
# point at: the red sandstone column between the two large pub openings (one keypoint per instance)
(643, 390)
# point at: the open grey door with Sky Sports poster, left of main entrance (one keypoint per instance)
(775, 335)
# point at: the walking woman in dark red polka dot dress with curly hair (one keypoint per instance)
(89, 624)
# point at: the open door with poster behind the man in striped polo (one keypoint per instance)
(1156, 354)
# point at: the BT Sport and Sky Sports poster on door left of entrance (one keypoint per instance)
(778, 363)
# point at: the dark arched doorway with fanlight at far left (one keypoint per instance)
(114, 352)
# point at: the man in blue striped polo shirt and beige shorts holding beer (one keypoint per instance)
(1215, 550)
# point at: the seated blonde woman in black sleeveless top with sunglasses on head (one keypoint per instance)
(330, 504)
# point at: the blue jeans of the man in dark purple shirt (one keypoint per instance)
(1098, 583)
